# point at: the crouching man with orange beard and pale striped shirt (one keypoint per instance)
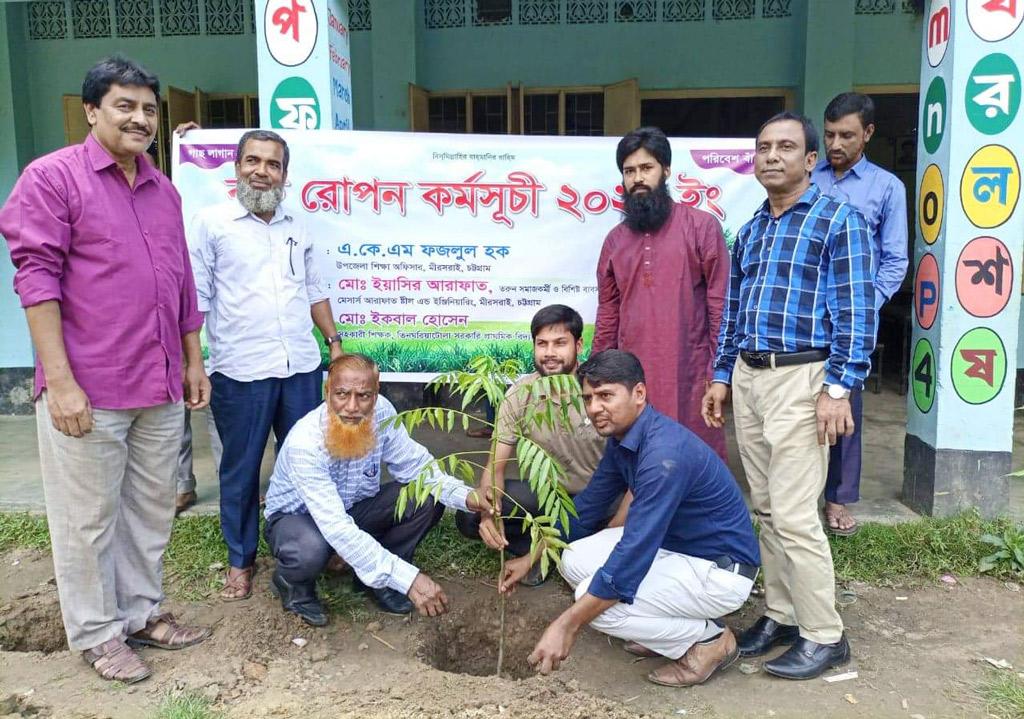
(326, 496)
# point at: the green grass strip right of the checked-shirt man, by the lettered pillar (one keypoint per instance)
(924, 548)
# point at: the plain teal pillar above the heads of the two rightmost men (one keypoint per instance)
(829, 61)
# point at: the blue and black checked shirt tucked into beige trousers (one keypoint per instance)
(802, 281)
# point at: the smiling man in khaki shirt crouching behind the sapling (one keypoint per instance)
(558, 332)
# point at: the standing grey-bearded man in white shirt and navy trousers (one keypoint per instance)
(260, 287)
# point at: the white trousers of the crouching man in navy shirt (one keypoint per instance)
(673, 603)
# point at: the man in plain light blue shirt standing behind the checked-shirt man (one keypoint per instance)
(848, 177)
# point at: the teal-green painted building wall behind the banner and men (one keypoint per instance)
(814, 53)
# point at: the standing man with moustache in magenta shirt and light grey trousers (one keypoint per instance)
(103, 272)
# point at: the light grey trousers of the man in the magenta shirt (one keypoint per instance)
(110, 504)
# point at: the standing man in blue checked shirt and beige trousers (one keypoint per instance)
(801, 320)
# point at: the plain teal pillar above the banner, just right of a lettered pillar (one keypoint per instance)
(394, 62)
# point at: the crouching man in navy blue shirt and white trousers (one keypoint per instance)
(686, 557)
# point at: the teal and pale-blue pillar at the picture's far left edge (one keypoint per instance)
(16, 153)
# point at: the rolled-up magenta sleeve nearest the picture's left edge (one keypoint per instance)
(36, 224)
